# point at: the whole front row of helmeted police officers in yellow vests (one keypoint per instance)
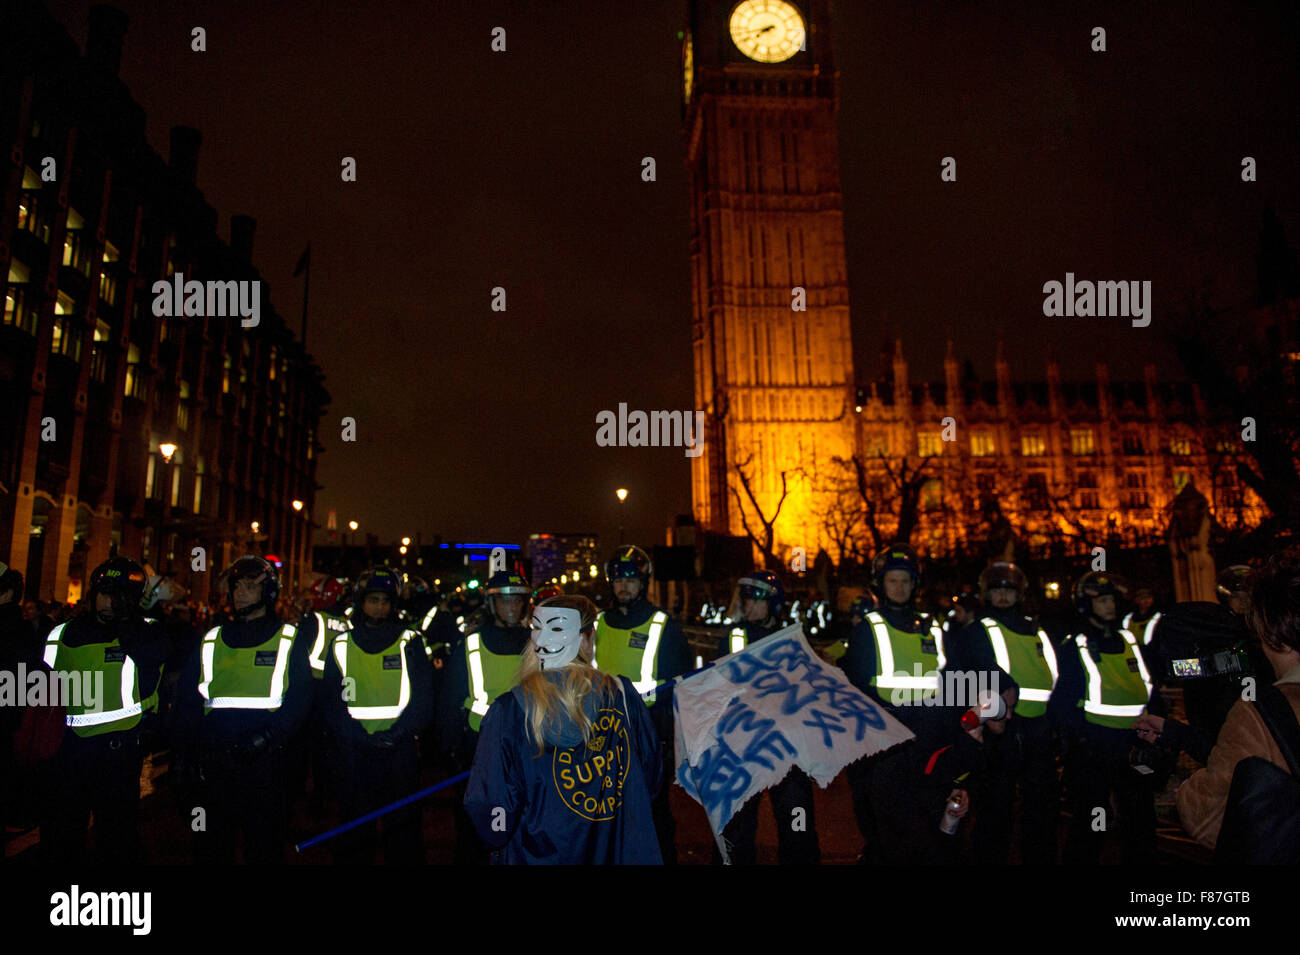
(369, 680)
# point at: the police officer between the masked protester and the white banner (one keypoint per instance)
(640, 641)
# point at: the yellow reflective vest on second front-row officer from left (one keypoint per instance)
(245, 678)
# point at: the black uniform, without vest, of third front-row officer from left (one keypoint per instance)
(380, 769)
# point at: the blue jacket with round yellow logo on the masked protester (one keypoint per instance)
(577, 804)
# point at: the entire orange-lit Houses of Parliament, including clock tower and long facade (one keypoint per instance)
(795, 437)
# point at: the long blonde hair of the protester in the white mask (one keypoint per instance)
(545, 700)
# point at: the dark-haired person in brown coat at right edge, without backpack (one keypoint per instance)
(1276, 618)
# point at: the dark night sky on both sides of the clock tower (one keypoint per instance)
(522, 170)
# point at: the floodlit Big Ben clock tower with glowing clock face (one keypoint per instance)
(770, 297)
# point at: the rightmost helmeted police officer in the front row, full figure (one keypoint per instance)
(1106, 685)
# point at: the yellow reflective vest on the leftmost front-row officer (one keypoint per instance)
(122, 707)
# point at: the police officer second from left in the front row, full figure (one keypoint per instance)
(245, 693)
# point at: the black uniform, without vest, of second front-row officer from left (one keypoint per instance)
(241, 753)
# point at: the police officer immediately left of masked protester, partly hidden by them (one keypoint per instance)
(480, 670)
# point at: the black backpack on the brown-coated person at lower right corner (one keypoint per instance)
(1262, 822)
